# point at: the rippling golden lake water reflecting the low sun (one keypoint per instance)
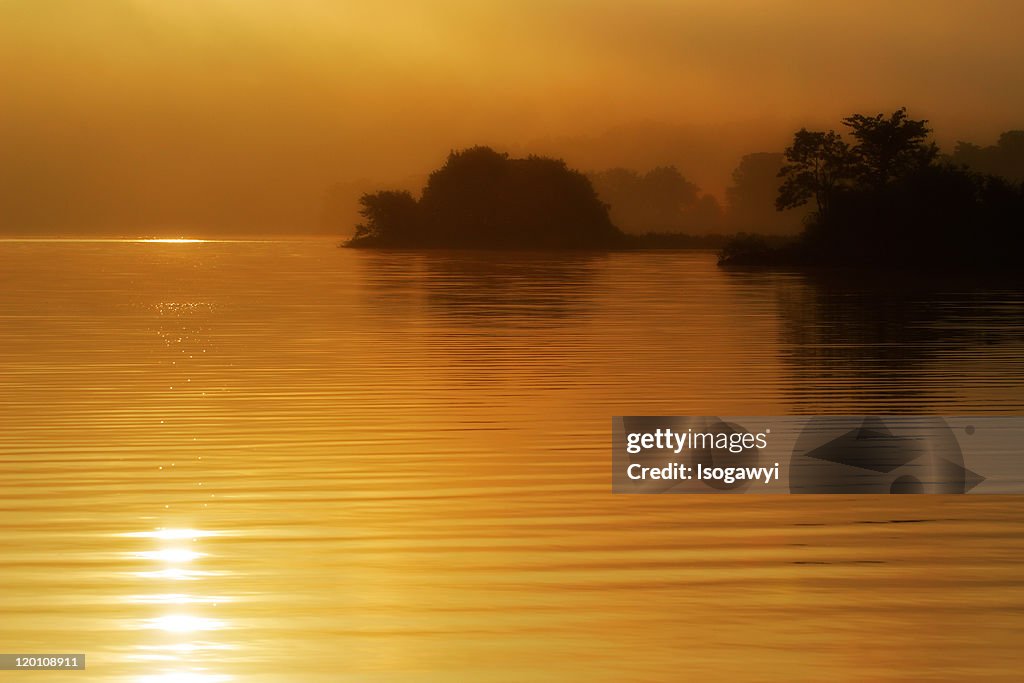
(282, 461)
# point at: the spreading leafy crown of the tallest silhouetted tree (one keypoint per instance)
(888, 149)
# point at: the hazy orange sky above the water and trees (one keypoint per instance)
(191, 116)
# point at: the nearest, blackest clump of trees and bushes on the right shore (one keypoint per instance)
(887, 198)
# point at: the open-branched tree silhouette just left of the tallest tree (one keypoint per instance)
(818, 165)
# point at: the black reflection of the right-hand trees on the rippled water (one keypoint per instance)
(895, 341)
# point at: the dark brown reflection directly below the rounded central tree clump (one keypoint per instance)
(489, 289)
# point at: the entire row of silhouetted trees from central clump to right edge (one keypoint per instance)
(884, 197)
